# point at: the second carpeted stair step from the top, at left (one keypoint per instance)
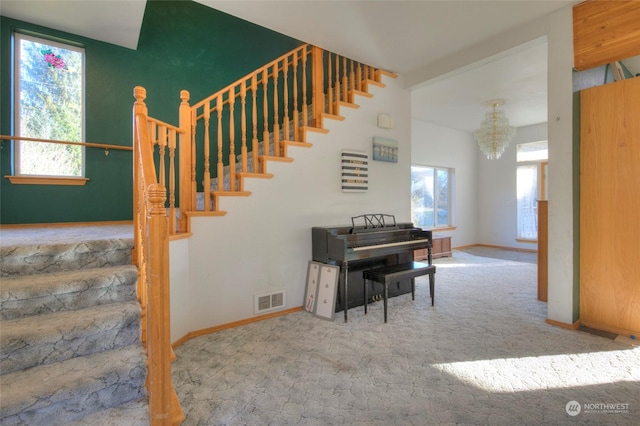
(22, 296)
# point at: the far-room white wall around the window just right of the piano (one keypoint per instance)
(437, 146)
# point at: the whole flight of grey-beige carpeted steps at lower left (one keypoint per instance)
(70, 335)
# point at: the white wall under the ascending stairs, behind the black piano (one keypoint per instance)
(264, 241)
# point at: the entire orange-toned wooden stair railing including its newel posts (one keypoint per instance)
(278, 103)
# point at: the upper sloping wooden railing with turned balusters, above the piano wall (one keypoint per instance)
(255, 119)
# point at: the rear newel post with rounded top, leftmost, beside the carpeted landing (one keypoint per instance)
(139, 107)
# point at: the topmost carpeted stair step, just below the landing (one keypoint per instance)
(46, 258)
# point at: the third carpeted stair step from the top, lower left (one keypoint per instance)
(44, 339)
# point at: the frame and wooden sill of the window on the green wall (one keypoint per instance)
(44, 179)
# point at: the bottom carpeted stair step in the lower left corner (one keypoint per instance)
(58, 393)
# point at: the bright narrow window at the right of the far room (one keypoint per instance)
(531, 158)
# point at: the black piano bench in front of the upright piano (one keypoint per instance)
(394, 273)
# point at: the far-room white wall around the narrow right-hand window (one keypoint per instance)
(496, 186)
